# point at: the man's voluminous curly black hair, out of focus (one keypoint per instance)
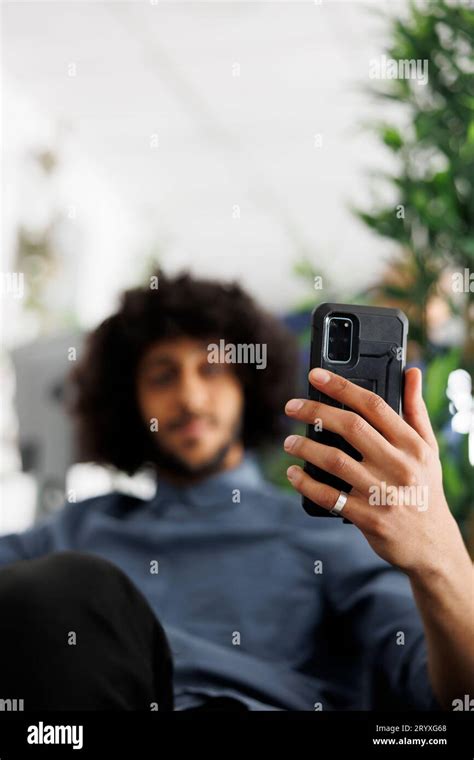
(102, 387)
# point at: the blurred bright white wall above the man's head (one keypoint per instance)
(190, 126)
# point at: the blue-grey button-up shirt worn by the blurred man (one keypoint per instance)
(259, 601)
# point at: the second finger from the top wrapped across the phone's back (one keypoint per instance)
(351, 426)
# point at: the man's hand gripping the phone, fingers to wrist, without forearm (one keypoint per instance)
(397, 497)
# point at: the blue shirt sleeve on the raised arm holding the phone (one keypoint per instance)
(375, 603)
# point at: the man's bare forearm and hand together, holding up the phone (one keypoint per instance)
(419, 535)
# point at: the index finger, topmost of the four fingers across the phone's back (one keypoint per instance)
(371, 406)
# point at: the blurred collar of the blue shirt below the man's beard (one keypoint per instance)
(217, 489)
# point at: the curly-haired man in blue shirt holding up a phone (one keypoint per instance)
(221, 591)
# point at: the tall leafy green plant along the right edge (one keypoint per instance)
(432, 220)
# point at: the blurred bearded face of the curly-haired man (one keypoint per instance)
(198, 405)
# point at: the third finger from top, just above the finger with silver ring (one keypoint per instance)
(331, 460)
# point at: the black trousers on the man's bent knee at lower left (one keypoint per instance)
(77, 634)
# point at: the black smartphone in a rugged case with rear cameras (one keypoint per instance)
(367, 345)
